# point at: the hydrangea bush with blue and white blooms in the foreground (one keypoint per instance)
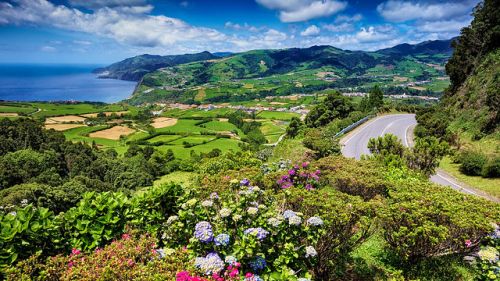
(245, 237)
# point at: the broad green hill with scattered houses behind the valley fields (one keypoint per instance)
(261, 73)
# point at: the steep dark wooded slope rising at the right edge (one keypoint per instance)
(469, 114)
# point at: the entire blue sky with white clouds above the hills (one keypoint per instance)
(105, 31)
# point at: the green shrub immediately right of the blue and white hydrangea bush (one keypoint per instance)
(347, 223)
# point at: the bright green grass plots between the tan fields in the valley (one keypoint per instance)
(195, 129)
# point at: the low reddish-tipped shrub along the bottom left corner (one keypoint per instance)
(130, 258)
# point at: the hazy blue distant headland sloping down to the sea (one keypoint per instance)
(133, 69)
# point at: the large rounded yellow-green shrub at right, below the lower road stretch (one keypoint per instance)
(424, 220)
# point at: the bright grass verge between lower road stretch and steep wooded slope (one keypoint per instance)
(491, 186)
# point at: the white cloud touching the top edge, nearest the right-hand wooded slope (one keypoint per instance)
(400, 11)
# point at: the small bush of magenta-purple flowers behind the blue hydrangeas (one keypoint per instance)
(300, 176)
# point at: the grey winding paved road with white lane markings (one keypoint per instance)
(355, 144)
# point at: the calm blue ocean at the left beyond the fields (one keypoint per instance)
(26, 82)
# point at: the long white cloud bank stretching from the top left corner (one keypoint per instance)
(134, 29)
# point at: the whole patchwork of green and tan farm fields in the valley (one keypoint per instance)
(179, 130)
